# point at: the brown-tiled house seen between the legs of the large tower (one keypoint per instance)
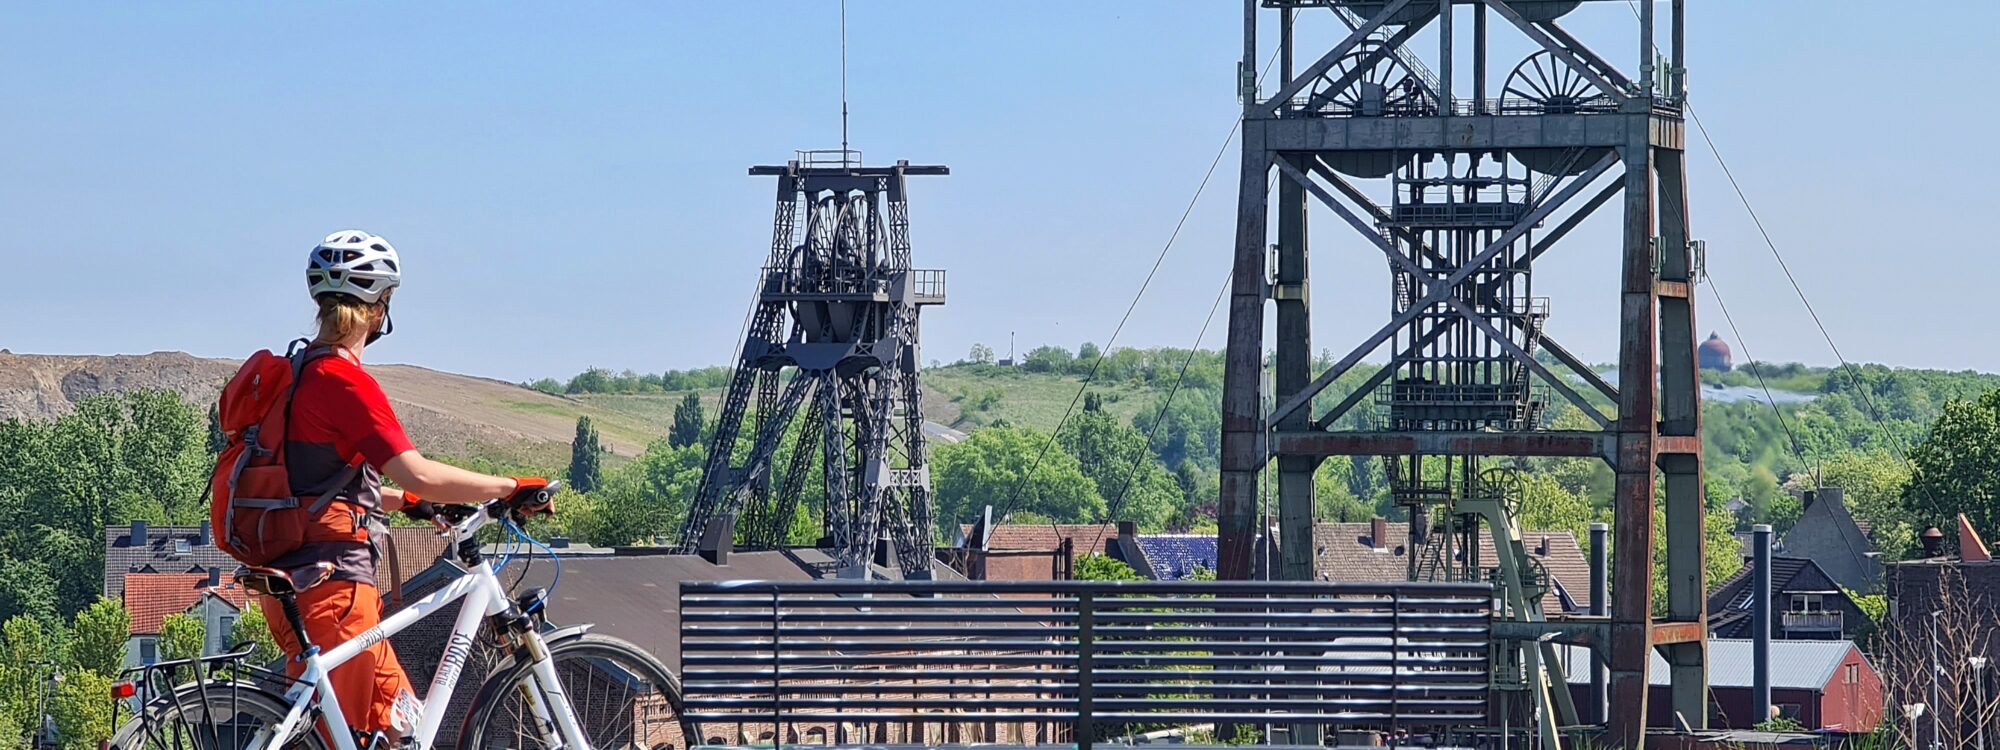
(1379, 553)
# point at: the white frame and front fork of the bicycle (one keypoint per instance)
(485, 597)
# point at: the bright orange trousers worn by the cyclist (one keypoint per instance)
(335, 613)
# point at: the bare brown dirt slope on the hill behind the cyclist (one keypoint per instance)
(445, 413)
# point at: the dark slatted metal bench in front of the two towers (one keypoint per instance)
(1077, 661)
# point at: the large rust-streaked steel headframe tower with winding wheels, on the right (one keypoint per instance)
(1463, 197)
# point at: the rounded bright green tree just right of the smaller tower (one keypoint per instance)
(993, 467)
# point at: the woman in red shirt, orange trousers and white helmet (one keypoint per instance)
(343, 429)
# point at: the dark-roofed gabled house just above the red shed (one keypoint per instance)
(1805, 603)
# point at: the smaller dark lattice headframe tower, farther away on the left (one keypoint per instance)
(833, 333)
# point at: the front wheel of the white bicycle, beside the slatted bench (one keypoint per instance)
(591, 669)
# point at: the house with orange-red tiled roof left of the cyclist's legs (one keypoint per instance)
(153, 597)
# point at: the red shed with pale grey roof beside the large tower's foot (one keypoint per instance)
(1823, 685)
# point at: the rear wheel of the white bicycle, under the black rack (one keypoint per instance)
(215, 717)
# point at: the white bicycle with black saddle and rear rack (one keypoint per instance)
(551, 689)
